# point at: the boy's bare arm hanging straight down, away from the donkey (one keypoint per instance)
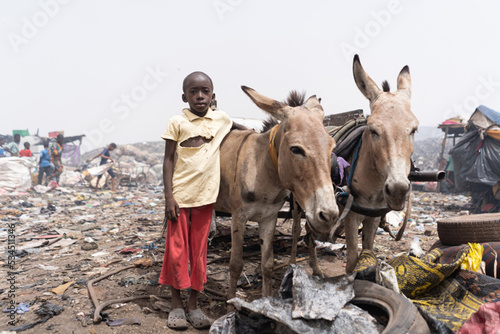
(171, 206)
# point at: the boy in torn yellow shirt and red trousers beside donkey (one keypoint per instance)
(191, 189)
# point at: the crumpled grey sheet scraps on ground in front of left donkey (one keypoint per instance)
(306, 305)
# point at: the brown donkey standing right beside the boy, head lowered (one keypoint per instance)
(260, 170)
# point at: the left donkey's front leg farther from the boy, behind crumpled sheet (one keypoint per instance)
(266, 233)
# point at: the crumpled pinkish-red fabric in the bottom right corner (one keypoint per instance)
(486, 320)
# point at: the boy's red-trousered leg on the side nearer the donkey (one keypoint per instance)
(198, 236)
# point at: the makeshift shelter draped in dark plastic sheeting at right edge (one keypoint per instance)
(476, 157)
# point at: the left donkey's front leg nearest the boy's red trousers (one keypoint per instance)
(236, 261)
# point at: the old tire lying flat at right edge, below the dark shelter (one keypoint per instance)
(473, 228)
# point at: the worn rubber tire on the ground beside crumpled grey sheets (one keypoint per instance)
(403, 315)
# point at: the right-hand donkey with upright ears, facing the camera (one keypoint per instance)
(380, 177)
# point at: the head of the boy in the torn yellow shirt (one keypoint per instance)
(199, 94)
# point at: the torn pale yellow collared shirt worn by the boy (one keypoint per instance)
(196, 176)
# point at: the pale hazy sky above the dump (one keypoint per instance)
(113, 69)
